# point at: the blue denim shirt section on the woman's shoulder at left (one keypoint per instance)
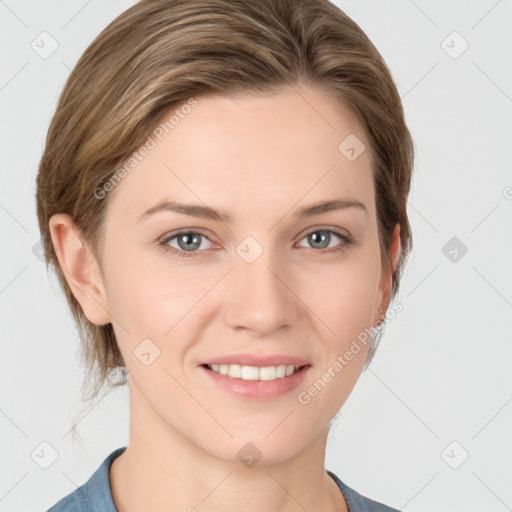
(93, 495)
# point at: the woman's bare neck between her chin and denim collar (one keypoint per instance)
(162, 469)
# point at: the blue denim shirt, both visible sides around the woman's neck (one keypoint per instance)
(95, 494)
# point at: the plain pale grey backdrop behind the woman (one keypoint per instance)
(428, 426)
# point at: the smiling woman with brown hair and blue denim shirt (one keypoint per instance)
(223, 197)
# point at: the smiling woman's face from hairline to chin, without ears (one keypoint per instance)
(272, 280)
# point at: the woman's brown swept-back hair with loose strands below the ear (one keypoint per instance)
(160, 53)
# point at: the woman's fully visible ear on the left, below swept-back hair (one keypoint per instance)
(80, 268)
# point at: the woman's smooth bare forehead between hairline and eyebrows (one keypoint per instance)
(265, 151)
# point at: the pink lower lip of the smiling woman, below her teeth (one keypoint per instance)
(258, 389)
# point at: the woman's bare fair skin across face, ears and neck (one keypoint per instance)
(260, 158)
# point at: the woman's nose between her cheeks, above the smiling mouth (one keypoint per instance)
(262, 296)
